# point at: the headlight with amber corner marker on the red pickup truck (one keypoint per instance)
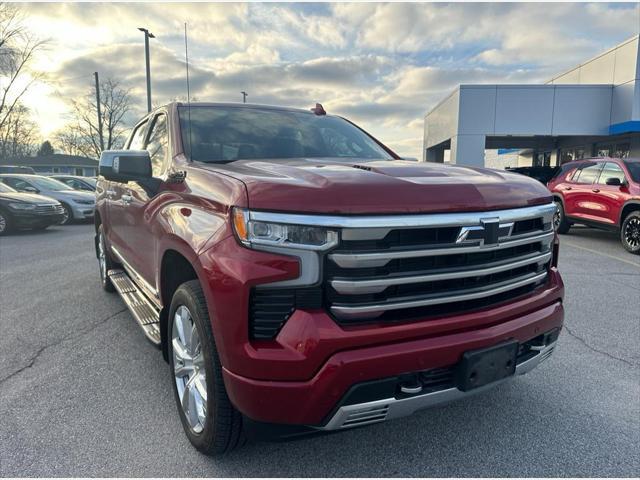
(253, 232)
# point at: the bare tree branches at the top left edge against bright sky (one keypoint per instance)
(17, 50)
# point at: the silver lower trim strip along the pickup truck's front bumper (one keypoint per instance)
(380, 410)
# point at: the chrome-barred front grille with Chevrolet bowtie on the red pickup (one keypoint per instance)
(437, 264)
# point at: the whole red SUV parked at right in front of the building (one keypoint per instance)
(601, 193)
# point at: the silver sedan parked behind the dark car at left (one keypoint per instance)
(77, 205)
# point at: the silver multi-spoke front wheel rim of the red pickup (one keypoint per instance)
(189, 369)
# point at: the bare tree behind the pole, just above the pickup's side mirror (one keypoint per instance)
(82, 136)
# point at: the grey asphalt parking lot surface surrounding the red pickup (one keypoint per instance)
(82, 393)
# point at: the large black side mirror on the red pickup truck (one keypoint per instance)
(125, 165)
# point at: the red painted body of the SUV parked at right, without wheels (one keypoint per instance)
(595, 202)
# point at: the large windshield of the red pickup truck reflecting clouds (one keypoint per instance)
(224, 134)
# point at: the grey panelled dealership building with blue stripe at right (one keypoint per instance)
(590, 110)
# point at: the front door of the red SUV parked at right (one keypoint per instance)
(608, 199)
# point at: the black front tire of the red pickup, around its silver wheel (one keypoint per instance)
(222, 430)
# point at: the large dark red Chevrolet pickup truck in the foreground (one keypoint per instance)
(300, 277)
